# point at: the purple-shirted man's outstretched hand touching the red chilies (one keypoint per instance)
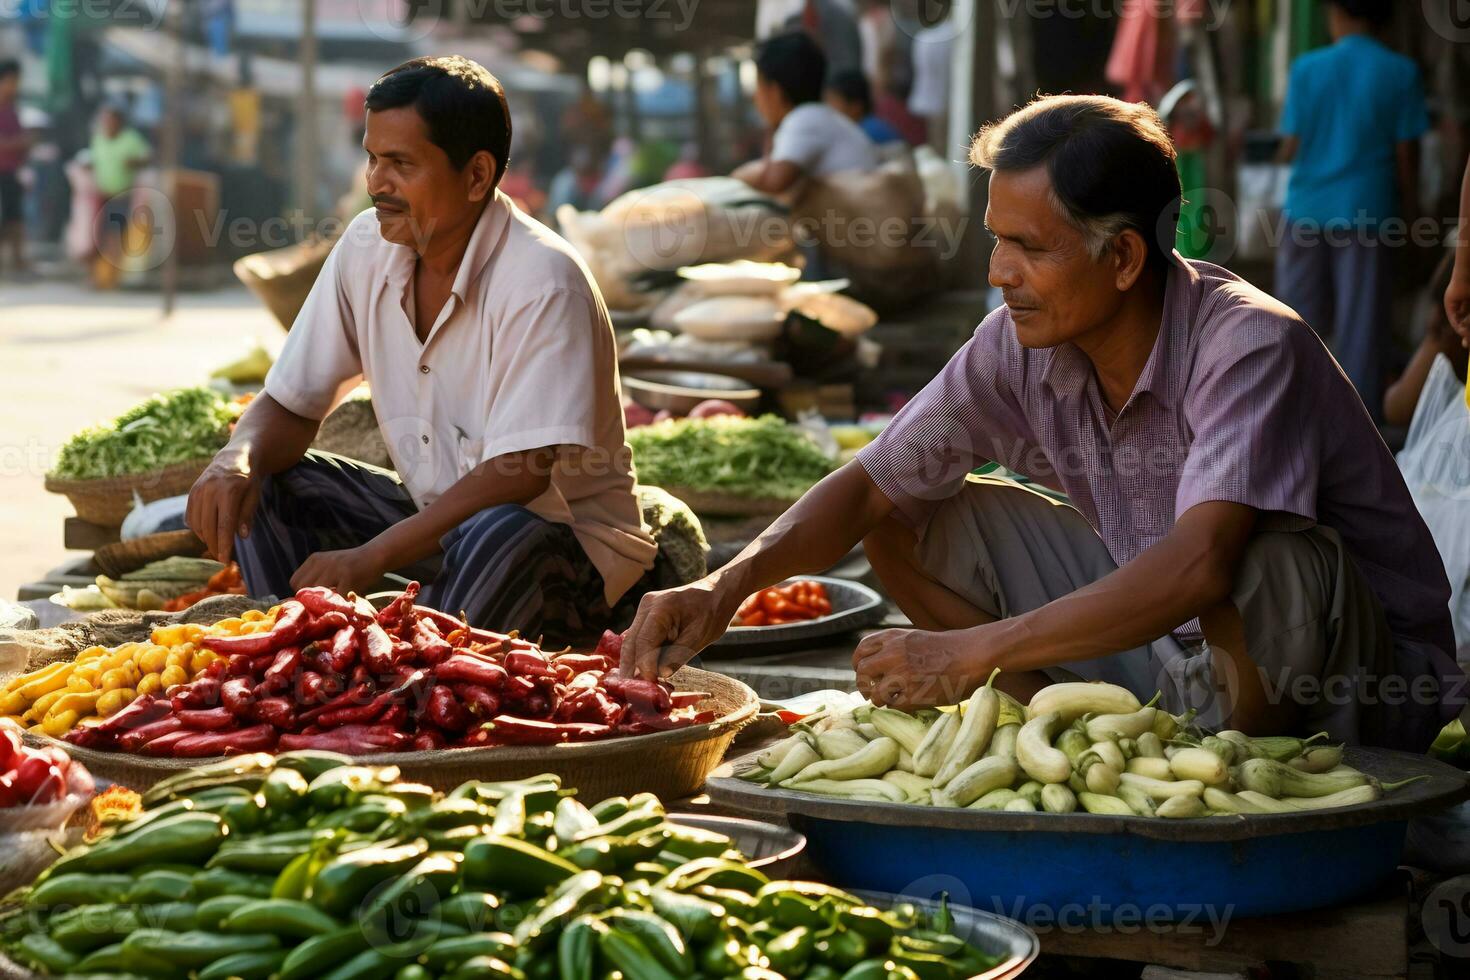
(675, 625)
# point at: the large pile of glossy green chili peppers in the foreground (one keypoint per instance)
(304, 866)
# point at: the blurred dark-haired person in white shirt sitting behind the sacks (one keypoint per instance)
(808, 137)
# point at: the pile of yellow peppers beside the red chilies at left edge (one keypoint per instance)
(105, 681)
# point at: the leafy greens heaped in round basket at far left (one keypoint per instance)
(165, 430)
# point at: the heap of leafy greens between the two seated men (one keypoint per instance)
(747, 458)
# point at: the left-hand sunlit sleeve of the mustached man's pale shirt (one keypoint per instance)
(320, 364)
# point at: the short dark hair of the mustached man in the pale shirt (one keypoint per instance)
(461, 102)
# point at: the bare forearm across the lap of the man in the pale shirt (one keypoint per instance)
(515, 480)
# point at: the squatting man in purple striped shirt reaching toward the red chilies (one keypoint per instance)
(1238, 537)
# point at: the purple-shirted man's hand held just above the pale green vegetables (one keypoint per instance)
(915, 669)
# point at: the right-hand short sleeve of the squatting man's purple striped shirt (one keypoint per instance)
(1256, 437)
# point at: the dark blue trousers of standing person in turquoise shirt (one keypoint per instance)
(1343, 289)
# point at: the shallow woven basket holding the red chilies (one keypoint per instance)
(671, 765)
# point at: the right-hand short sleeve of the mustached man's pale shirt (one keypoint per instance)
(549, 359)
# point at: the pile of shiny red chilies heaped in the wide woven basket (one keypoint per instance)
(333, 674)
